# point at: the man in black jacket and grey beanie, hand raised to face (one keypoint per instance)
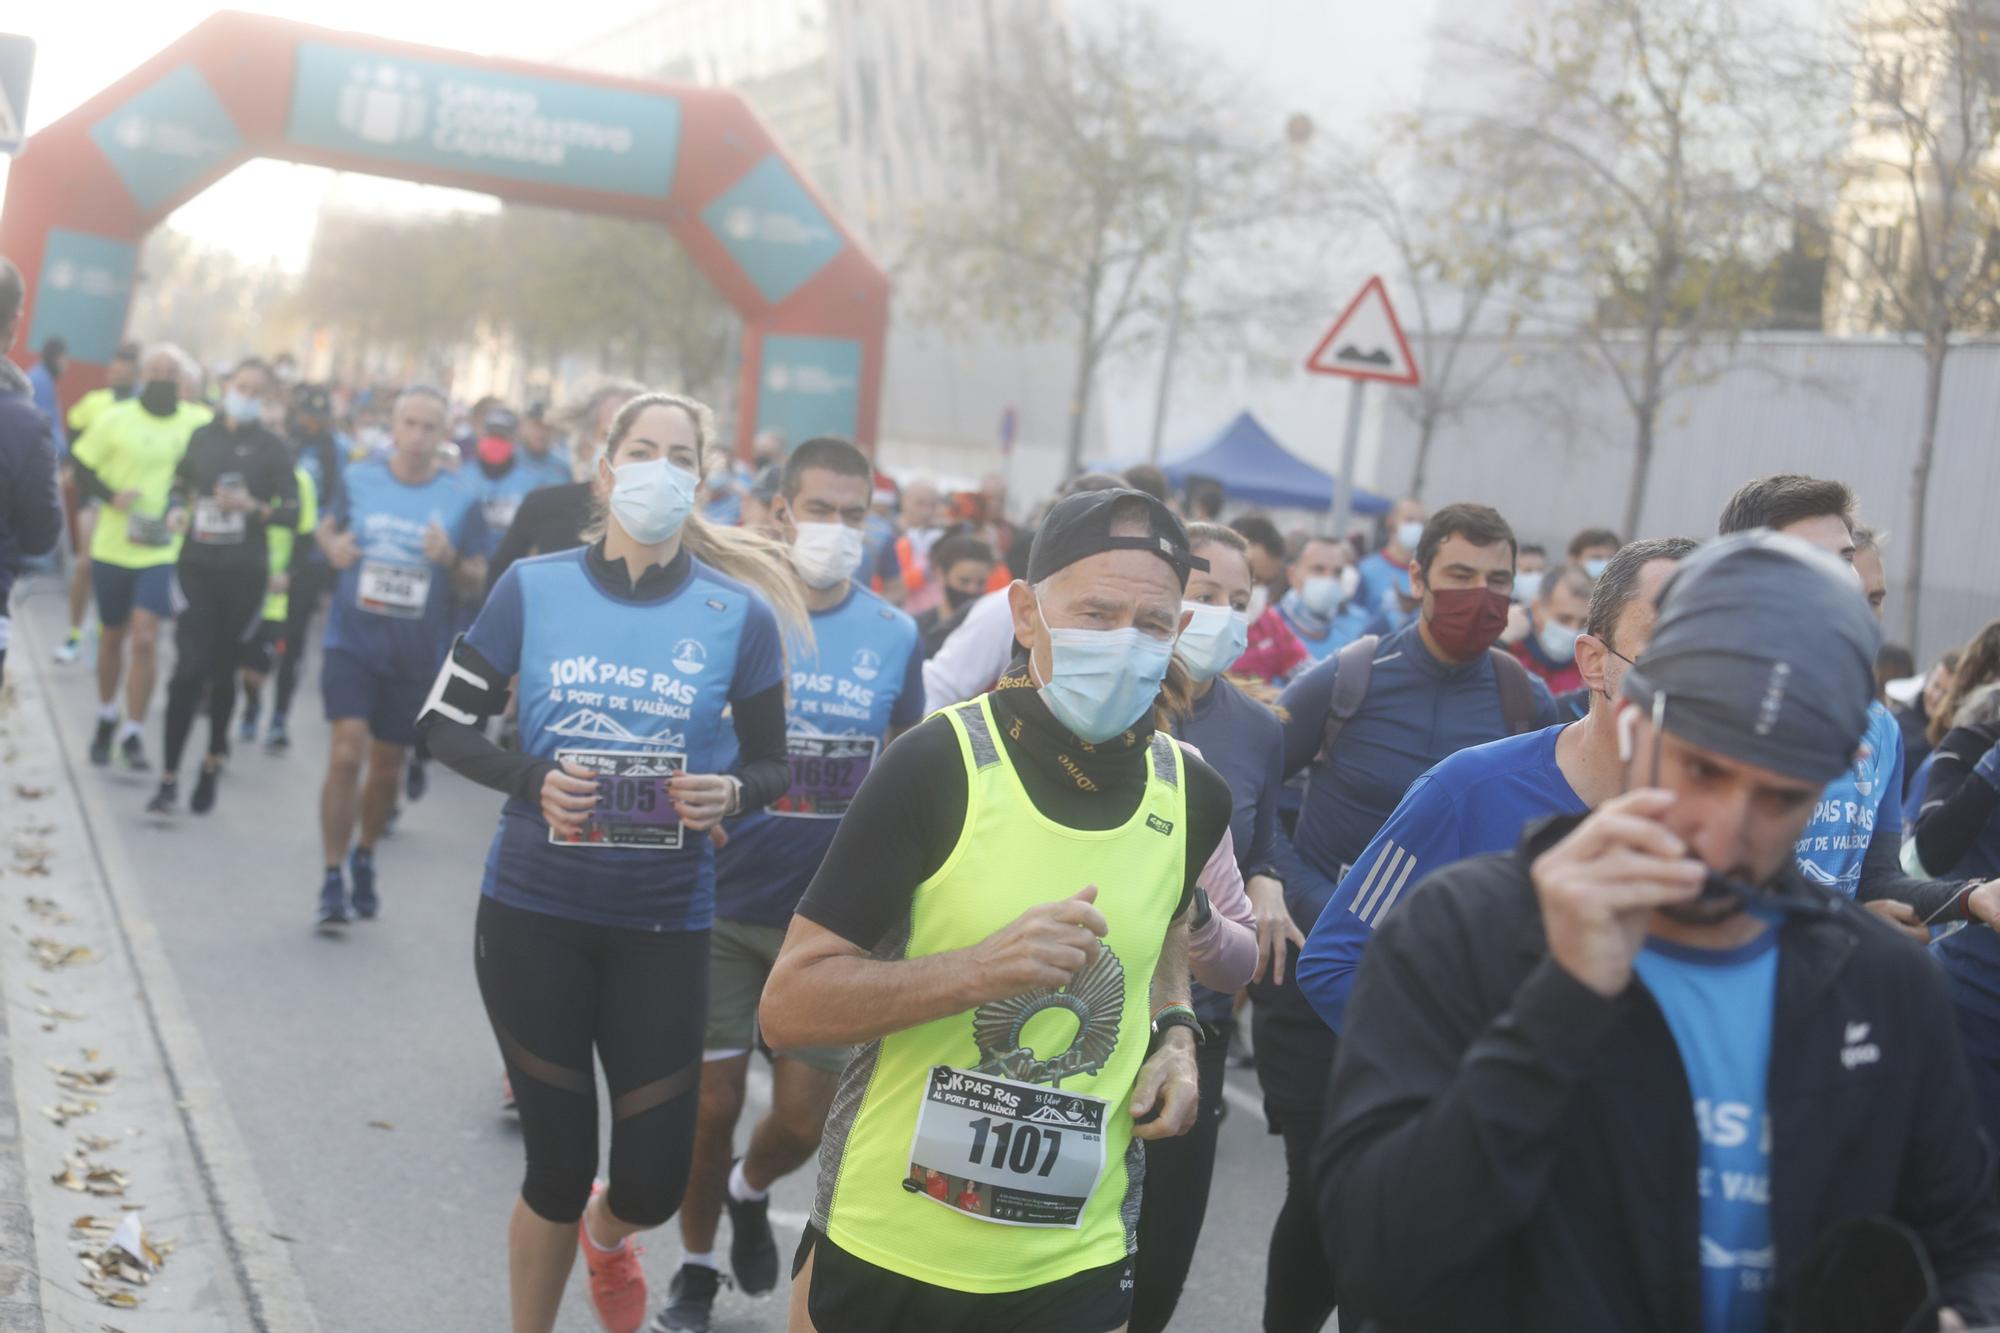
(1645, 1076)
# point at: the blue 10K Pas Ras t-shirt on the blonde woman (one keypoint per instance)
(607, 674)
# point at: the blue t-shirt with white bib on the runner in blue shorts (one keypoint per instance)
(393, 607)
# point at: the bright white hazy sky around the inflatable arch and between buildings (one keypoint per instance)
(1333, 59)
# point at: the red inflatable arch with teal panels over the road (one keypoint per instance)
(87, 189)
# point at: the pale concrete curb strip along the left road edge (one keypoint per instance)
(261, 1264)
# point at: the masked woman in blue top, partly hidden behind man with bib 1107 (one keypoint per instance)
(1245, 744)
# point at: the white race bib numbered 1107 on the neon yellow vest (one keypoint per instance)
(1005, 1152)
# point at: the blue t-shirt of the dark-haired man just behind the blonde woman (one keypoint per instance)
(863, 678)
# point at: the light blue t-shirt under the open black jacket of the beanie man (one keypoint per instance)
(1719, 1006)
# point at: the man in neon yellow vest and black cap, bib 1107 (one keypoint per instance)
(1027, 852)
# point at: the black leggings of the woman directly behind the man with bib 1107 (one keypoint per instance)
(1175, 1200)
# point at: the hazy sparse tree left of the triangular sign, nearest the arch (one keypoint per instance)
(1089, 141)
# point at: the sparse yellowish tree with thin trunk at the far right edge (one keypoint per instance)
(1915, 231)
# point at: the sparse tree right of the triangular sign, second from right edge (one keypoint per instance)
(1661, 139)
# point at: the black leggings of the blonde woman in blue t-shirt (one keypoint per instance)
(553, 990)
